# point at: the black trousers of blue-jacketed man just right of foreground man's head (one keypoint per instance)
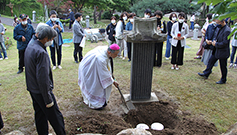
(59, 54)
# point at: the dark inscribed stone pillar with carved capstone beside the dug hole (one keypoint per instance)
(143, 37)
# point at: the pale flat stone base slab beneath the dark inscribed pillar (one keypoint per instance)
(153, 98)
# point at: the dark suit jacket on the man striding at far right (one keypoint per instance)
(222, 47)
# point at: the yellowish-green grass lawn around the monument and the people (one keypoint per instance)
(216, 103)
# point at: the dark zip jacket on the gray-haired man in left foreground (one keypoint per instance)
(38, 72)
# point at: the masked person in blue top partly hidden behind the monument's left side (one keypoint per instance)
(129, 27)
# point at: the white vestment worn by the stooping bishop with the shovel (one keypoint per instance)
(95, 77)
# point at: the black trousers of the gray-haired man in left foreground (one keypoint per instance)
(43, 115)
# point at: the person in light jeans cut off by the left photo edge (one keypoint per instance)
(2, 44)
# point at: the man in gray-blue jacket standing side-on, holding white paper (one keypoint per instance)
(78, 34)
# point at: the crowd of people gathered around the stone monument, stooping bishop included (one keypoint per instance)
(95, 74)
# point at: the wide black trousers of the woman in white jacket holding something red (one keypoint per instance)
(177, 54)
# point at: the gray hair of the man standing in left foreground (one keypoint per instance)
(47, 32)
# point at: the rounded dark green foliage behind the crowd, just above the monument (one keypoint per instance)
(166, 6)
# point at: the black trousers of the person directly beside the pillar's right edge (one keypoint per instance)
(158, 54)
